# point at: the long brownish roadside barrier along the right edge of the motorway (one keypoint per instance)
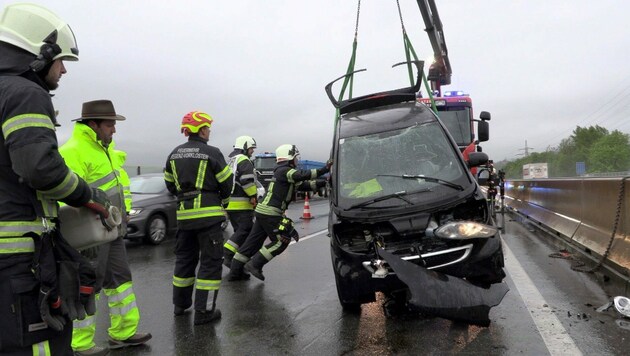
(583, 210)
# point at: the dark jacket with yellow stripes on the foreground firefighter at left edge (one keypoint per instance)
(33, 176)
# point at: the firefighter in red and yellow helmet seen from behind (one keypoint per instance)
(202, 181)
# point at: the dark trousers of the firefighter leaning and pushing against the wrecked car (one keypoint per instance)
(263, 227)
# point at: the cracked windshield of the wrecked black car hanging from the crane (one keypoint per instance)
(395, 162)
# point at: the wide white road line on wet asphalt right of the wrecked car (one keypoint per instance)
(554, 335)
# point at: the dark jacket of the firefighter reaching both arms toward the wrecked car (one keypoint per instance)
(286, 180)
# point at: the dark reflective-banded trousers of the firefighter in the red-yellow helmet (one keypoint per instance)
(203, 246)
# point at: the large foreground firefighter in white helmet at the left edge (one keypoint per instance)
(34, 43)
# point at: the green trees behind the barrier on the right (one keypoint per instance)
(598, 149)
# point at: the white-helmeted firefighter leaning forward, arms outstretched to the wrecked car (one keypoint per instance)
(252, 256)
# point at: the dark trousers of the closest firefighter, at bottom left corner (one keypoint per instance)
(19, 312)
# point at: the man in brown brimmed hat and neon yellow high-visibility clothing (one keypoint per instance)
(90, 154)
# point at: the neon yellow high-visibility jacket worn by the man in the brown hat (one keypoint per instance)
(101, 167)
